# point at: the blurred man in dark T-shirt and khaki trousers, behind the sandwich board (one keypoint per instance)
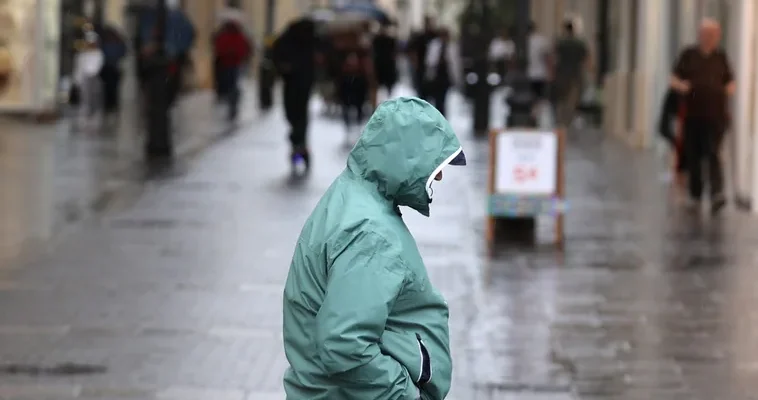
(571, 56)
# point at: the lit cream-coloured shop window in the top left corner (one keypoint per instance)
(29, 55)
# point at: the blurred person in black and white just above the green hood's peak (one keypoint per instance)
(443, 68)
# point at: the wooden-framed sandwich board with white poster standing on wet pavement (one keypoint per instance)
(526, 177)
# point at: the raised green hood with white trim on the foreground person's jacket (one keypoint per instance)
(402, 148)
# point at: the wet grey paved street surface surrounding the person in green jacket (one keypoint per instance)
(171, 288)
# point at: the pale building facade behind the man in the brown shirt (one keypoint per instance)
(635, 44)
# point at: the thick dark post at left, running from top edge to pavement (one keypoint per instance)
(159, 144)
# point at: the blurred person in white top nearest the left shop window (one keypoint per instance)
(88, 63)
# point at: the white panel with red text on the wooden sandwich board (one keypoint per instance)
(527, 163)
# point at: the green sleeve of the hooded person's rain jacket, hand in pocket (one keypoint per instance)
(362, 286)
